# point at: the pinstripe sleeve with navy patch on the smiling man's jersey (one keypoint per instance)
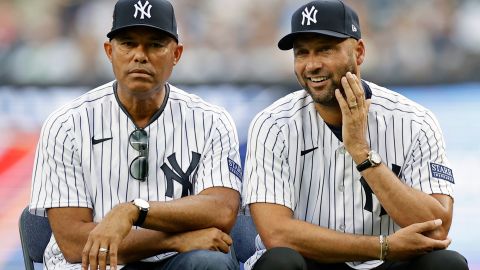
(427, 167)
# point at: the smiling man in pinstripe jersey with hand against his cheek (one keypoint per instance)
(345, 174)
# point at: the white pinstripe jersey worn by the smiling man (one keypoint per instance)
(295, 160)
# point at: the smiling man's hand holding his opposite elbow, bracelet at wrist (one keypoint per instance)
(410, 242)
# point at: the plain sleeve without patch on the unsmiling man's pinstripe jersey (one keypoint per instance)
(57, 179)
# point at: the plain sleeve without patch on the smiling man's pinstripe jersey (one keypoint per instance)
(267, 177)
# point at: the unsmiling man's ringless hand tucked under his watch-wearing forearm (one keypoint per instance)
(207, 239)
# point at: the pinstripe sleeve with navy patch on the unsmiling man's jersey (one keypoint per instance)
(220, 164)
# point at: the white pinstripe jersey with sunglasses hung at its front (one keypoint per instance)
(83, 156)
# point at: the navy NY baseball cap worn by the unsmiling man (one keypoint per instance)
(156, 14)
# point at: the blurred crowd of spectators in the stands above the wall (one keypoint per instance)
(59, 42)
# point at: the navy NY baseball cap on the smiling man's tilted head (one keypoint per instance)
(326, 17)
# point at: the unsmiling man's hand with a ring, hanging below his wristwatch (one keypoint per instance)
(104, 239)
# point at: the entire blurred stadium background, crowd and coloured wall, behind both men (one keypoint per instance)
(51, 51)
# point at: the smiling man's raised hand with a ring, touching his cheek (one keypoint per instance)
(354, 109)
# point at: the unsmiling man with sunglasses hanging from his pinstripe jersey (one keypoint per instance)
(138, 173)
